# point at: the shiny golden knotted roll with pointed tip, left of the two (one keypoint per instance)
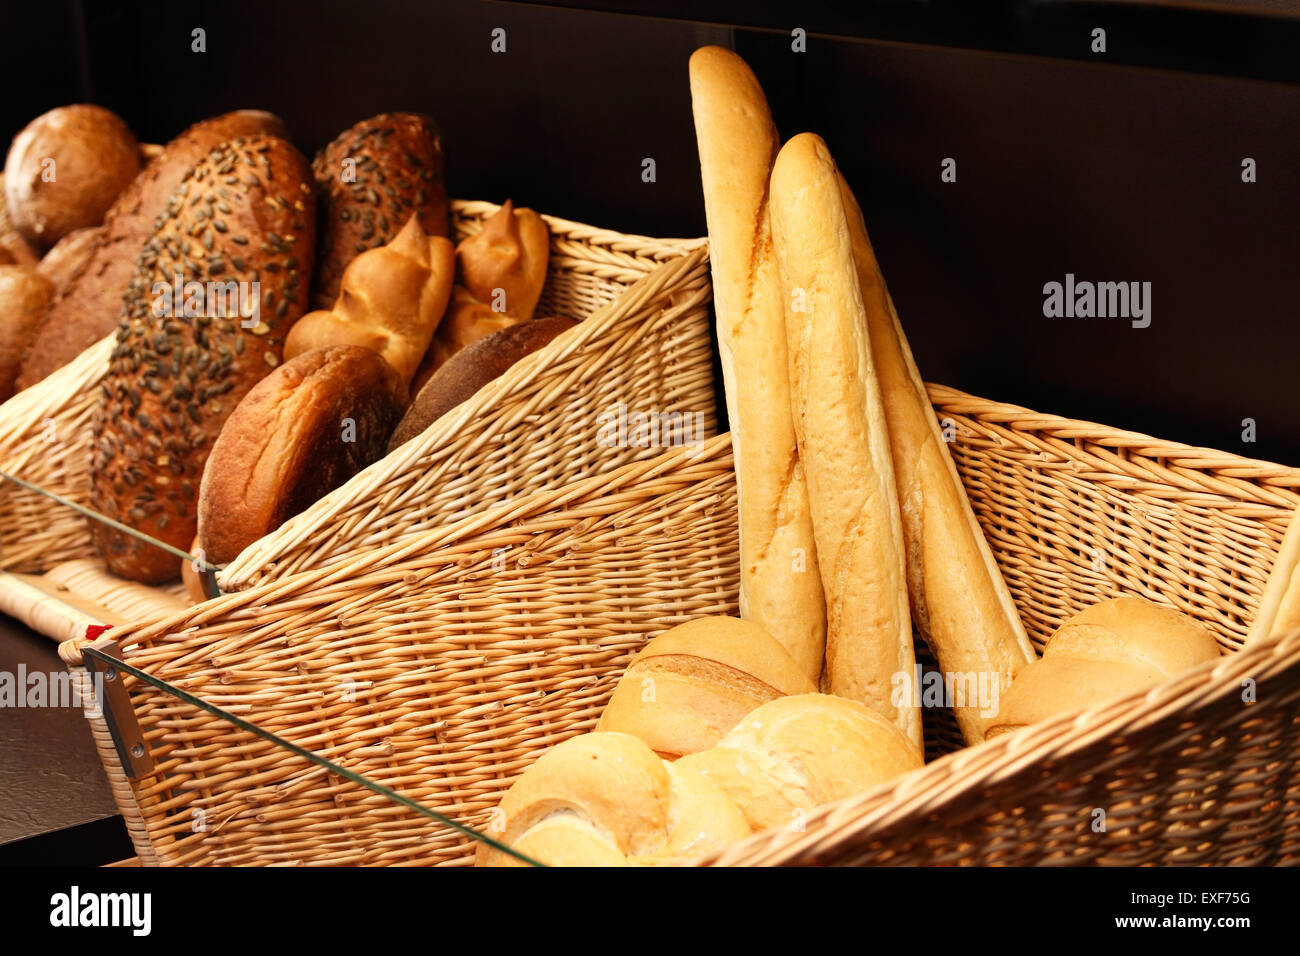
(391, 301)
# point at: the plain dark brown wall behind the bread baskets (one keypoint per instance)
(1124, 167)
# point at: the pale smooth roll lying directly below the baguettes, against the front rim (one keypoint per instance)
(796, 754)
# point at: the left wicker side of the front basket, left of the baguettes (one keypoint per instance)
(439, 667)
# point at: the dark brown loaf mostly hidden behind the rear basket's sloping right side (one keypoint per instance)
(470, 370)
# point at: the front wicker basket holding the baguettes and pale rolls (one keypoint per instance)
(475, 676)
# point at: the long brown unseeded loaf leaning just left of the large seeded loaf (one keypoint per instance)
(88, 308)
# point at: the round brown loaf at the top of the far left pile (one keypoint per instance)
(66, 170)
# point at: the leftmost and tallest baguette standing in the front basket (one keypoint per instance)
(781, 587)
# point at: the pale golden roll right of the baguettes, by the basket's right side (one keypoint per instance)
(1111, 650)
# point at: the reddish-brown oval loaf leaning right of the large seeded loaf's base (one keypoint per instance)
(300, 434)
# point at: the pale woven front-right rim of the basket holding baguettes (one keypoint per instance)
(907, 801)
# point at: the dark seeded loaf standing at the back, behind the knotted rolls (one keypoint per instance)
(398, 170)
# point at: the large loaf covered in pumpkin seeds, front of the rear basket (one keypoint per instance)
(214, 295)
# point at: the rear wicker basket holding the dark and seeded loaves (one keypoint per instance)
(644, 341)
